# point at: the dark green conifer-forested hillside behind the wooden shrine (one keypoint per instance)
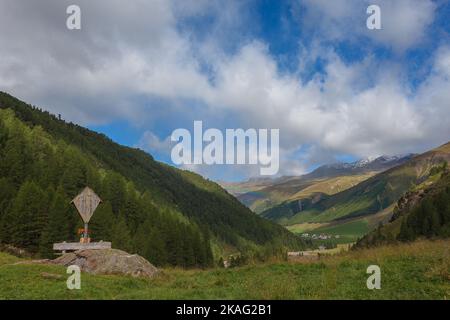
(167, 215)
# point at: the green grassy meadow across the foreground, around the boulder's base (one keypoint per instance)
(409, 271)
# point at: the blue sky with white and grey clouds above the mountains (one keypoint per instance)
(337, 91)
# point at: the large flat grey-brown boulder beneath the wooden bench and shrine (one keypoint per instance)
(108, 261)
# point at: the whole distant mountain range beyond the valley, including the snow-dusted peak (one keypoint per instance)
(344, 199)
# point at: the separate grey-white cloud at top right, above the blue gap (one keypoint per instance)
(404, 22)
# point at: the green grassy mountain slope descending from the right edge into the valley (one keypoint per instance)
(368, 197)
